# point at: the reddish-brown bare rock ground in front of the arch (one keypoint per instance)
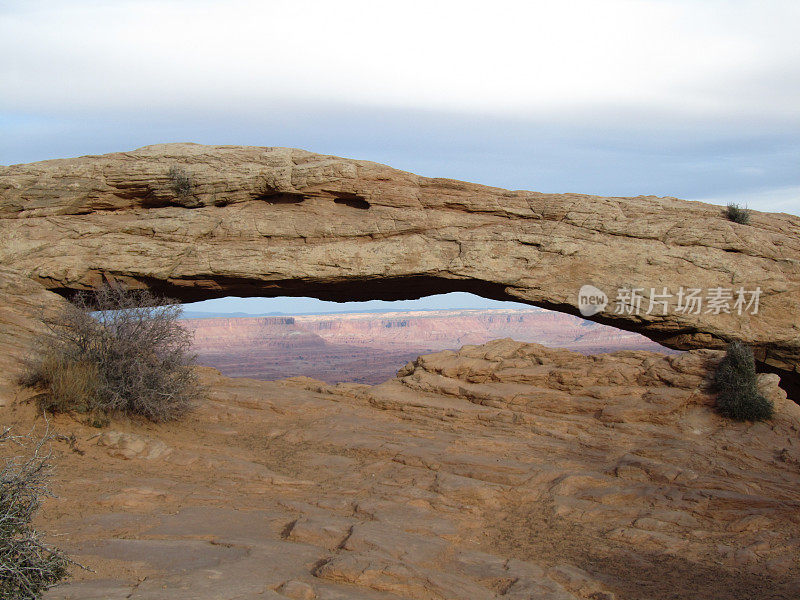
(507, 470)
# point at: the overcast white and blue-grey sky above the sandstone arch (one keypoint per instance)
(694, 99)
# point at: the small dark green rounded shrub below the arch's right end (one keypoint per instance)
(735, 383)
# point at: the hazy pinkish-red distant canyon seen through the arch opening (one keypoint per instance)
(371, 347)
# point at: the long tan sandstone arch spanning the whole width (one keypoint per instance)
(278, 221)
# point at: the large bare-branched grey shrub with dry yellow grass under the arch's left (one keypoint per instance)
(115, 351)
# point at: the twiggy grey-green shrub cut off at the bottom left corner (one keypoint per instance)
(27, 565)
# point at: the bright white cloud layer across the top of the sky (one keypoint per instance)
(709, 59)
